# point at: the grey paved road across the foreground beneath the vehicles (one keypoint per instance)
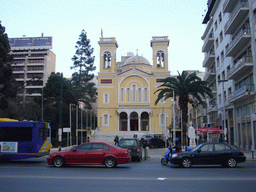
(148, 175)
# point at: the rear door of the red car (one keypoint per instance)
(97, 153)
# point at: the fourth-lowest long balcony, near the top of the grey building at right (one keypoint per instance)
(237, 16)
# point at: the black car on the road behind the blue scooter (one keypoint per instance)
(210, 153)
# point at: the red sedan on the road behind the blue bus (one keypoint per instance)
(93, 153)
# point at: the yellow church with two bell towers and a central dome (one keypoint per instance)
(126, 99)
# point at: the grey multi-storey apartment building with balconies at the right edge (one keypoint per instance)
(230, 68)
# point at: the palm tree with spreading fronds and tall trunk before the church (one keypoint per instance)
(186, 86)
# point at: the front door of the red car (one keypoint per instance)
(80, 154)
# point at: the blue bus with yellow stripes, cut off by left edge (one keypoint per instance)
(24, 139)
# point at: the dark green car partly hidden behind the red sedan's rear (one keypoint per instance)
(134, 145)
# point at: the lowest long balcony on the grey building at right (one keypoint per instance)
(243, 93)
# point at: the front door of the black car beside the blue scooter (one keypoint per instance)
(204, 155)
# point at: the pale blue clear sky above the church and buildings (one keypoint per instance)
(131, 22)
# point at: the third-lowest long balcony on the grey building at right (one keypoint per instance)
(241, 39)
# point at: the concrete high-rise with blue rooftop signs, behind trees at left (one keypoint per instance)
(33, 63)
